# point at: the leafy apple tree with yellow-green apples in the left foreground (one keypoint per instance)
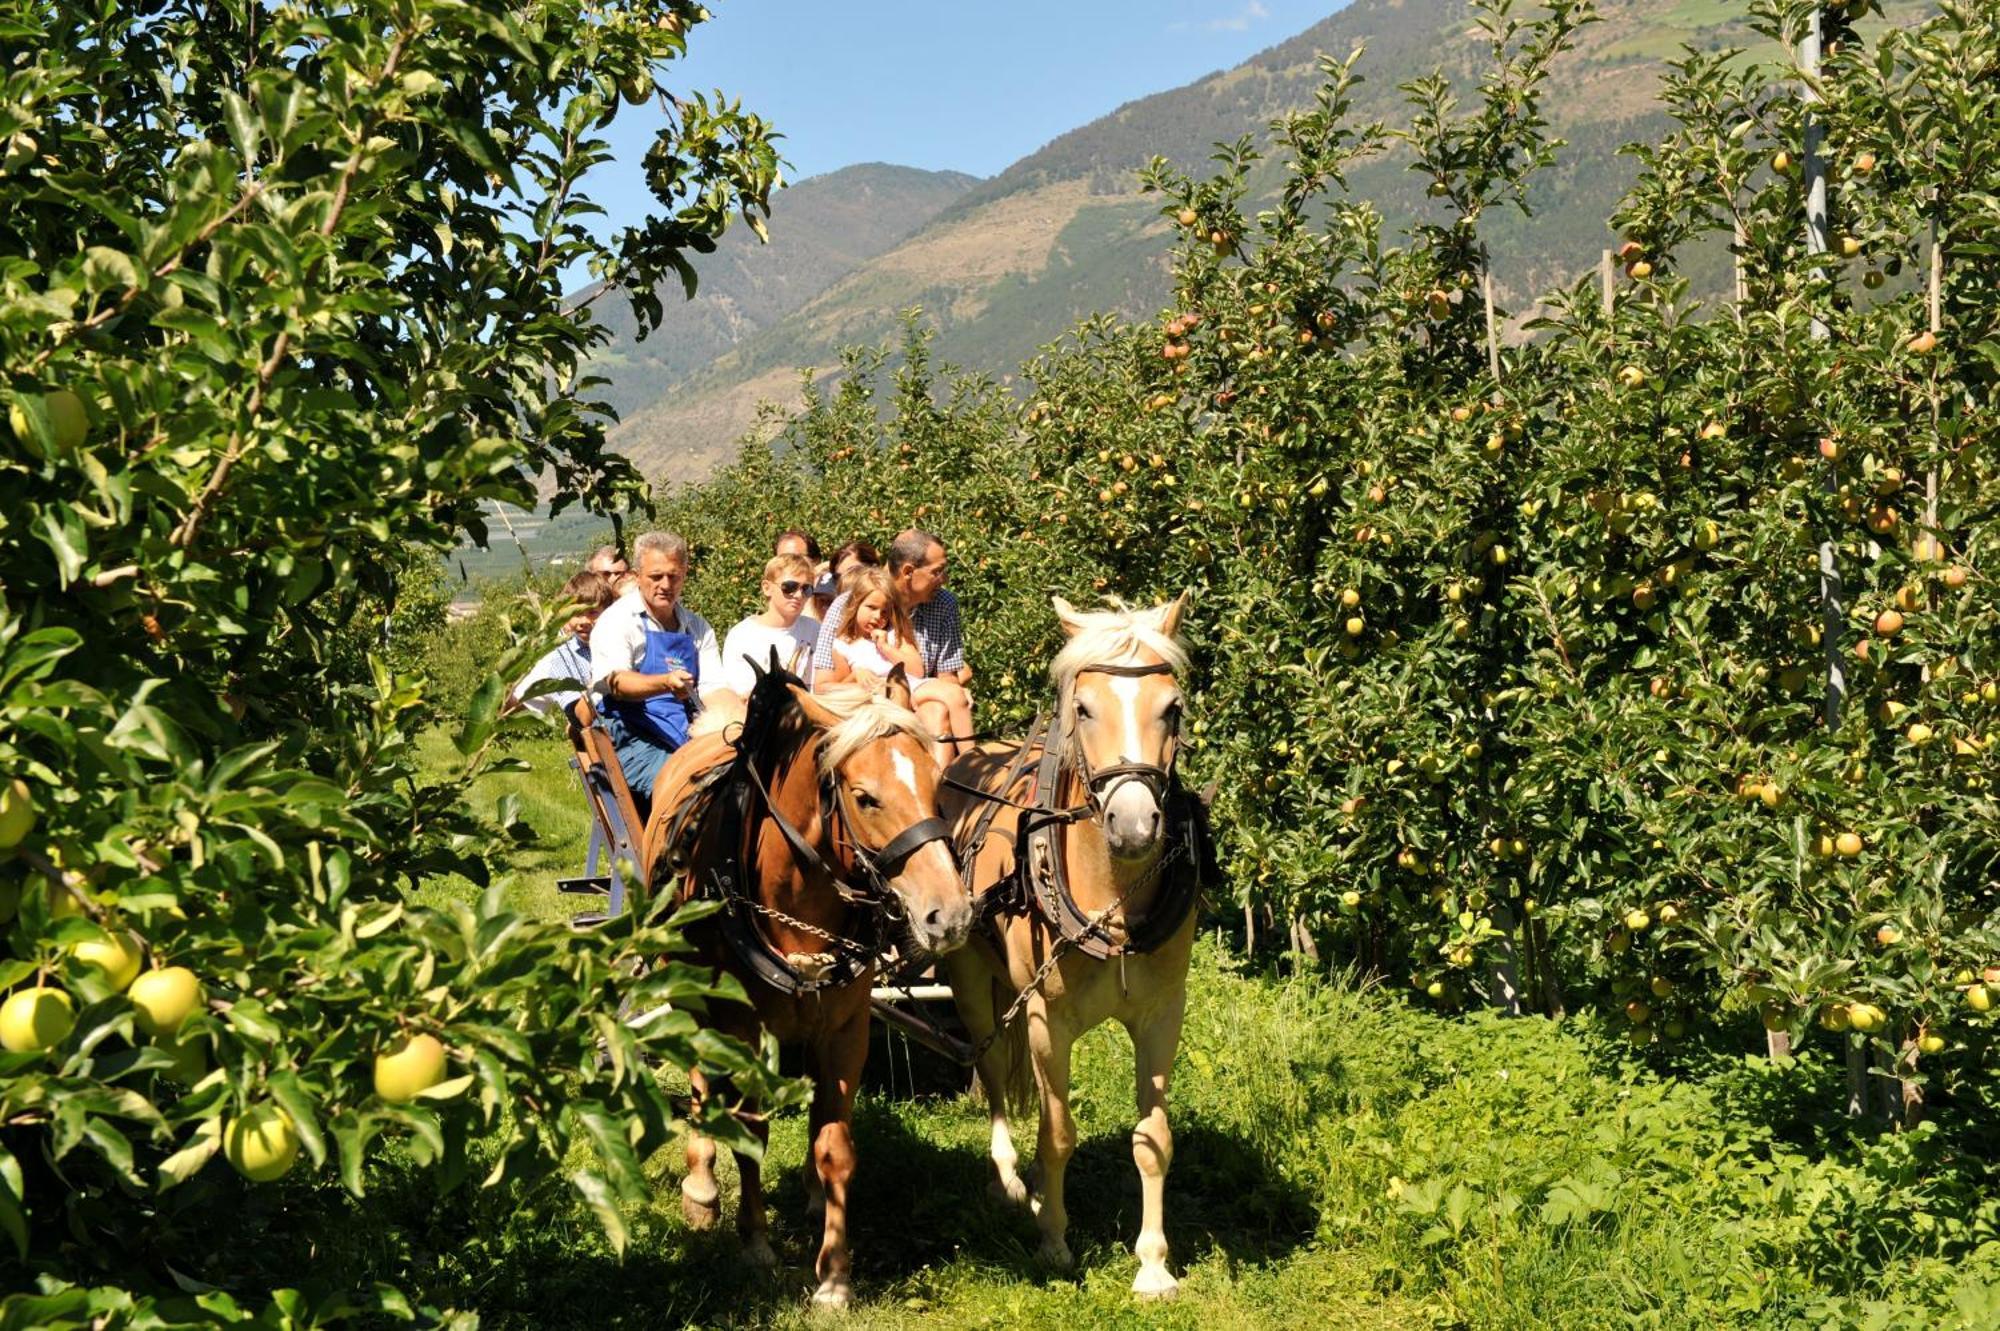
(279, 311)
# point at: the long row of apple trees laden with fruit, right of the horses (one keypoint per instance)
(1513, 655)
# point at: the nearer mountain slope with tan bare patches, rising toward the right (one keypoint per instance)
(1011, 263)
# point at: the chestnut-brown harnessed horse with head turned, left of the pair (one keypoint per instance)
(829, 824)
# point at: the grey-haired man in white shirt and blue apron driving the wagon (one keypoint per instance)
(649, 659)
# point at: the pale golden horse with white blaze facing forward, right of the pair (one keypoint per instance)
(1095, 858)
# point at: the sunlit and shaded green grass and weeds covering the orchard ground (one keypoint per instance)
(1343, 1160)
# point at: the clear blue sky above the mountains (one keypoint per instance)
(945, 85)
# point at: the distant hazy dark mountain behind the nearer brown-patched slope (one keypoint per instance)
(821, 231)
